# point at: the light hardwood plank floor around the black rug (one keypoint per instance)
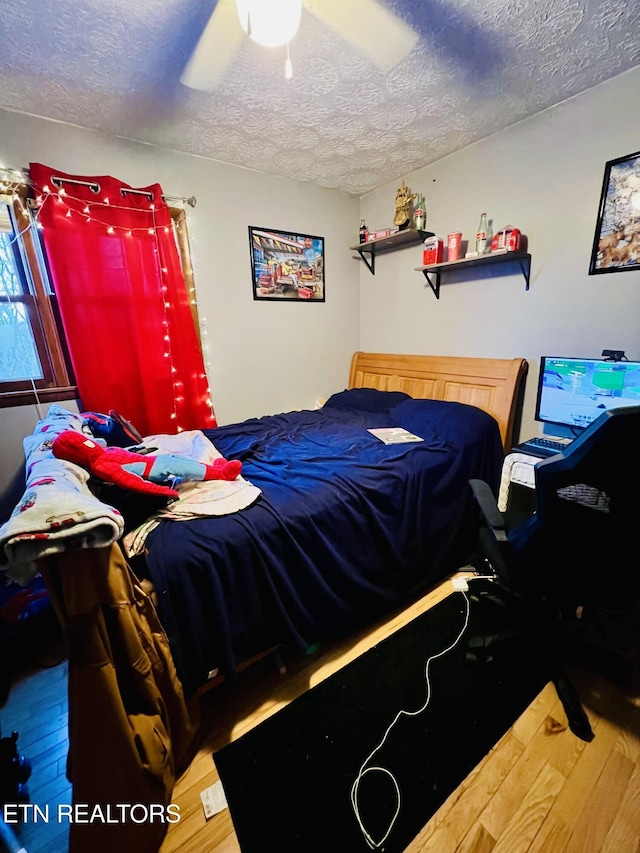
(540, 790)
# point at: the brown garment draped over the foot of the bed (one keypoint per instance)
(130, 731)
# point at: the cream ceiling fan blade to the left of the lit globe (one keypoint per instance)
(218, 44)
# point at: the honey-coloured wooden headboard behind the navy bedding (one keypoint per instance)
(491, 384)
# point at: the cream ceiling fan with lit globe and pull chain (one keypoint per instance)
(366, 24)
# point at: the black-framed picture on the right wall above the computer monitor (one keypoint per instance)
(616, 245)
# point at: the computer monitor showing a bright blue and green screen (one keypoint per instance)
(572, 392)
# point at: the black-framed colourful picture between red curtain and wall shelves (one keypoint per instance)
(286, 266)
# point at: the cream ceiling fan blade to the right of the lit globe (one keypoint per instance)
(370, 27)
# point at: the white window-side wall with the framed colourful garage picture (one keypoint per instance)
(264, 357)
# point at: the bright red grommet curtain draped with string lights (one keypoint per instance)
(126, 213)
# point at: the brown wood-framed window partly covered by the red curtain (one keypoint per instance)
(34, 363)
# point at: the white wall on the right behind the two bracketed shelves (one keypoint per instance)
(543, 176)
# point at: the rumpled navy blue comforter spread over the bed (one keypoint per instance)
(346, 528)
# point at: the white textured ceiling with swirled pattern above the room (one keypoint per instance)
(478, 67)
